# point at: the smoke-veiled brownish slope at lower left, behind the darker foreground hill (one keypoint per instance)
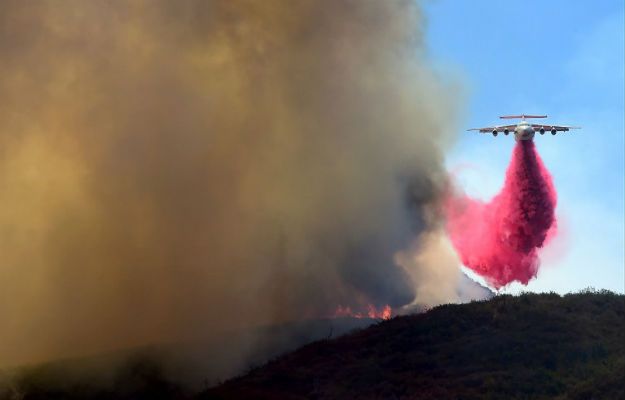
(167, 370)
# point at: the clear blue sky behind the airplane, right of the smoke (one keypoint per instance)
(560, 58)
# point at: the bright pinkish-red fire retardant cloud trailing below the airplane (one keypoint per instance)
(500, 239)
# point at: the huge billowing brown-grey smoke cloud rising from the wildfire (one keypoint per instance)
(172, 169)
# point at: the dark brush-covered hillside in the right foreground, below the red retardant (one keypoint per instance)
(528, 347)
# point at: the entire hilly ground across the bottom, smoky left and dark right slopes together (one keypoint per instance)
(527, 347)
